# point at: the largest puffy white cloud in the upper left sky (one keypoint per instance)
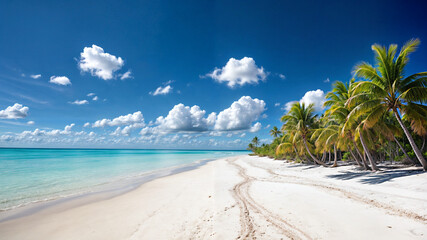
(99, 63)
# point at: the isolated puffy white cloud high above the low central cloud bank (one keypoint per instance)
(239, 72)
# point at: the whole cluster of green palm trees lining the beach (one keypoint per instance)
(370, 118)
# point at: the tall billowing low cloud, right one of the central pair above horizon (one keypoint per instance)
(240, 114)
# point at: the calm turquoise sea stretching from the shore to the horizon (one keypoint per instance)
(35, 175)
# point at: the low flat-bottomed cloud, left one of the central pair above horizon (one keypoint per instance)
(184, 118)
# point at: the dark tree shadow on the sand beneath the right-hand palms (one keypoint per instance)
(375, 178)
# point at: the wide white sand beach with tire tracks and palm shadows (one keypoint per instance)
(246, 197)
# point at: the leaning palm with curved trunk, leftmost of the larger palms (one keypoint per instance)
(301, 120)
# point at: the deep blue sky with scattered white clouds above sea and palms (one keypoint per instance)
(181, 74)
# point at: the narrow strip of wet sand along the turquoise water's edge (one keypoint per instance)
(100, 192)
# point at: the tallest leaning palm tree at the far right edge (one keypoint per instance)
(386, 89)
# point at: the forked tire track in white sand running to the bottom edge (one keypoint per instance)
(248, 205)
